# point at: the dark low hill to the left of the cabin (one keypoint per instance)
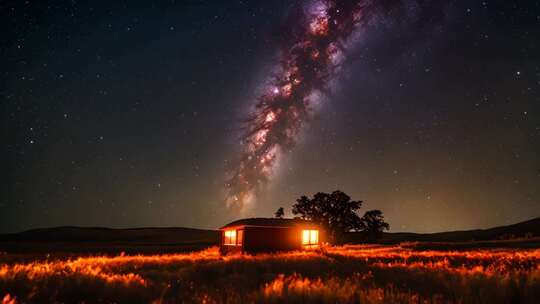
(107, 240)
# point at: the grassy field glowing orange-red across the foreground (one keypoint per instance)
(354, 274)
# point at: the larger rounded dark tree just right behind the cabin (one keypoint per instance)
(335, 212)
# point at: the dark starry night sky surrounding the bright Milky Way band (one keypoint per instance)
(129, 114)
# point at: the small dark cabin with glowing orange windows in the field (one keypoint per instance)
(254, 235)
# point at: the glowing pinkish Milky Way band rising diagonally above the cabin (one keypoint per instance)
(311, 54)
